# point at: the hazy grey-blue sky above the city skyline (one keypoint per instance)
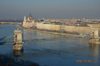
(50, 9)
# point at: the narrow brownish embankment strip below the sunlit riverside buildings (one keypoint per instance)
(45, 31)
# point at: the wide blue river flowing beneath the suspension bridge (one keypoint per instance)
(64, 52)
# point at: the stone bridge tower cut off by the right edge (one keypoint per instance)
(95, 39)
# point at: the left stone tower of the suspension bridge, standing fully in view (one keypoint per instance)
(18, 45)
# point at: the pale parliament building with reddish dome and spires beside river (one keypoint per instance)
(29, 22)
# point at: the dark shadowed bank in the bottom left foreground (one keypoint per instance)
(8, 61)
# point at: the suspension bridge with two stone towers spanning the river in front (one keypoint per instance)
(18, 42)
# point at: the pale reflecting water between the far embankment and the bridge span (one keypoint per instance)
(29, 35)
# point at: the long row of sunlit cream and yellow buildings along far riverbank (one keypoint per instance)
(65, 28)
